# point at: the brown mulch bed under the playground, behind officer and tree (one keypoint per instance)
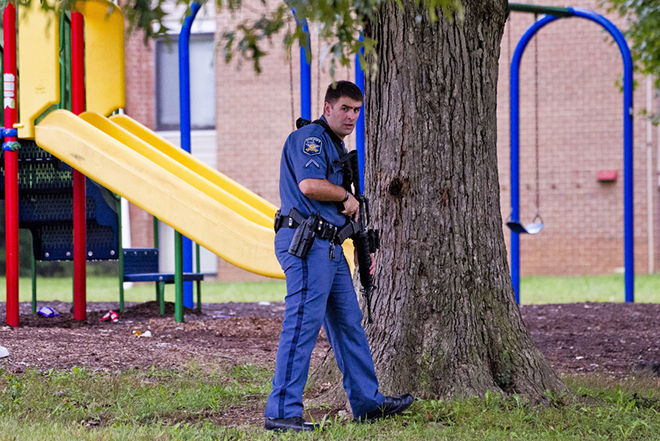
(611, 338)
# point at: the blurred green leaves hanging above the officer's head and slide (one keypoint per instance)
(339, 23)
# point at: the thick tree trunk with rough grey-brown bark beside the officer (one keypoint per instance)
(445, 319)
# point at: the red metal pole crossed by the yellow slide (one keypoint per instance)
(79, 196)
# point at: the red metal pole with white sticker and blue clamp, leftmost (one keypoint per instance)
(10, 146)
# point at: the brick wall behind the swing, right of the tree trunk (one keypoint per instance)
(580, 132)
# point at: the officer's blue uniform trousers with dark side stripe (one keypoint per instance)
(320, 292)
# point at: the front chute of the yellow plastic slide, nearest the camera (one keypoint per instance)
(160, 192)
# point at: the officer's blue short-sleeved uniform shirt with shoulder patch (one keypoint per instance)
(310, 154)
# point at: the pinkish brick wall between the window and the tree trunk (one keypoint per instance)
(255, 116)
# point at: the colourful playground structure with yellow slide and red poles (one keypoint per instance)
(120, 154)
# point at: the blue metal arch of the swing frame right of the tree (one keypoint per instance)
(628, 190)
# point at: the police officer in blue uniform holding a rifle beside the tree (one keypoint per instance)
(319, 285)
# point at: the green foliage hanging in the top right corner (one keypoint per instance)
(643, 17)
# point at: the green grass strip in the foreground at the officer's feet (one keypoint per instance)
(201, 404)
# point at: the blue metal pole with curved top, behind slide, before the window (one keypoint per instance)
(184, 106)
